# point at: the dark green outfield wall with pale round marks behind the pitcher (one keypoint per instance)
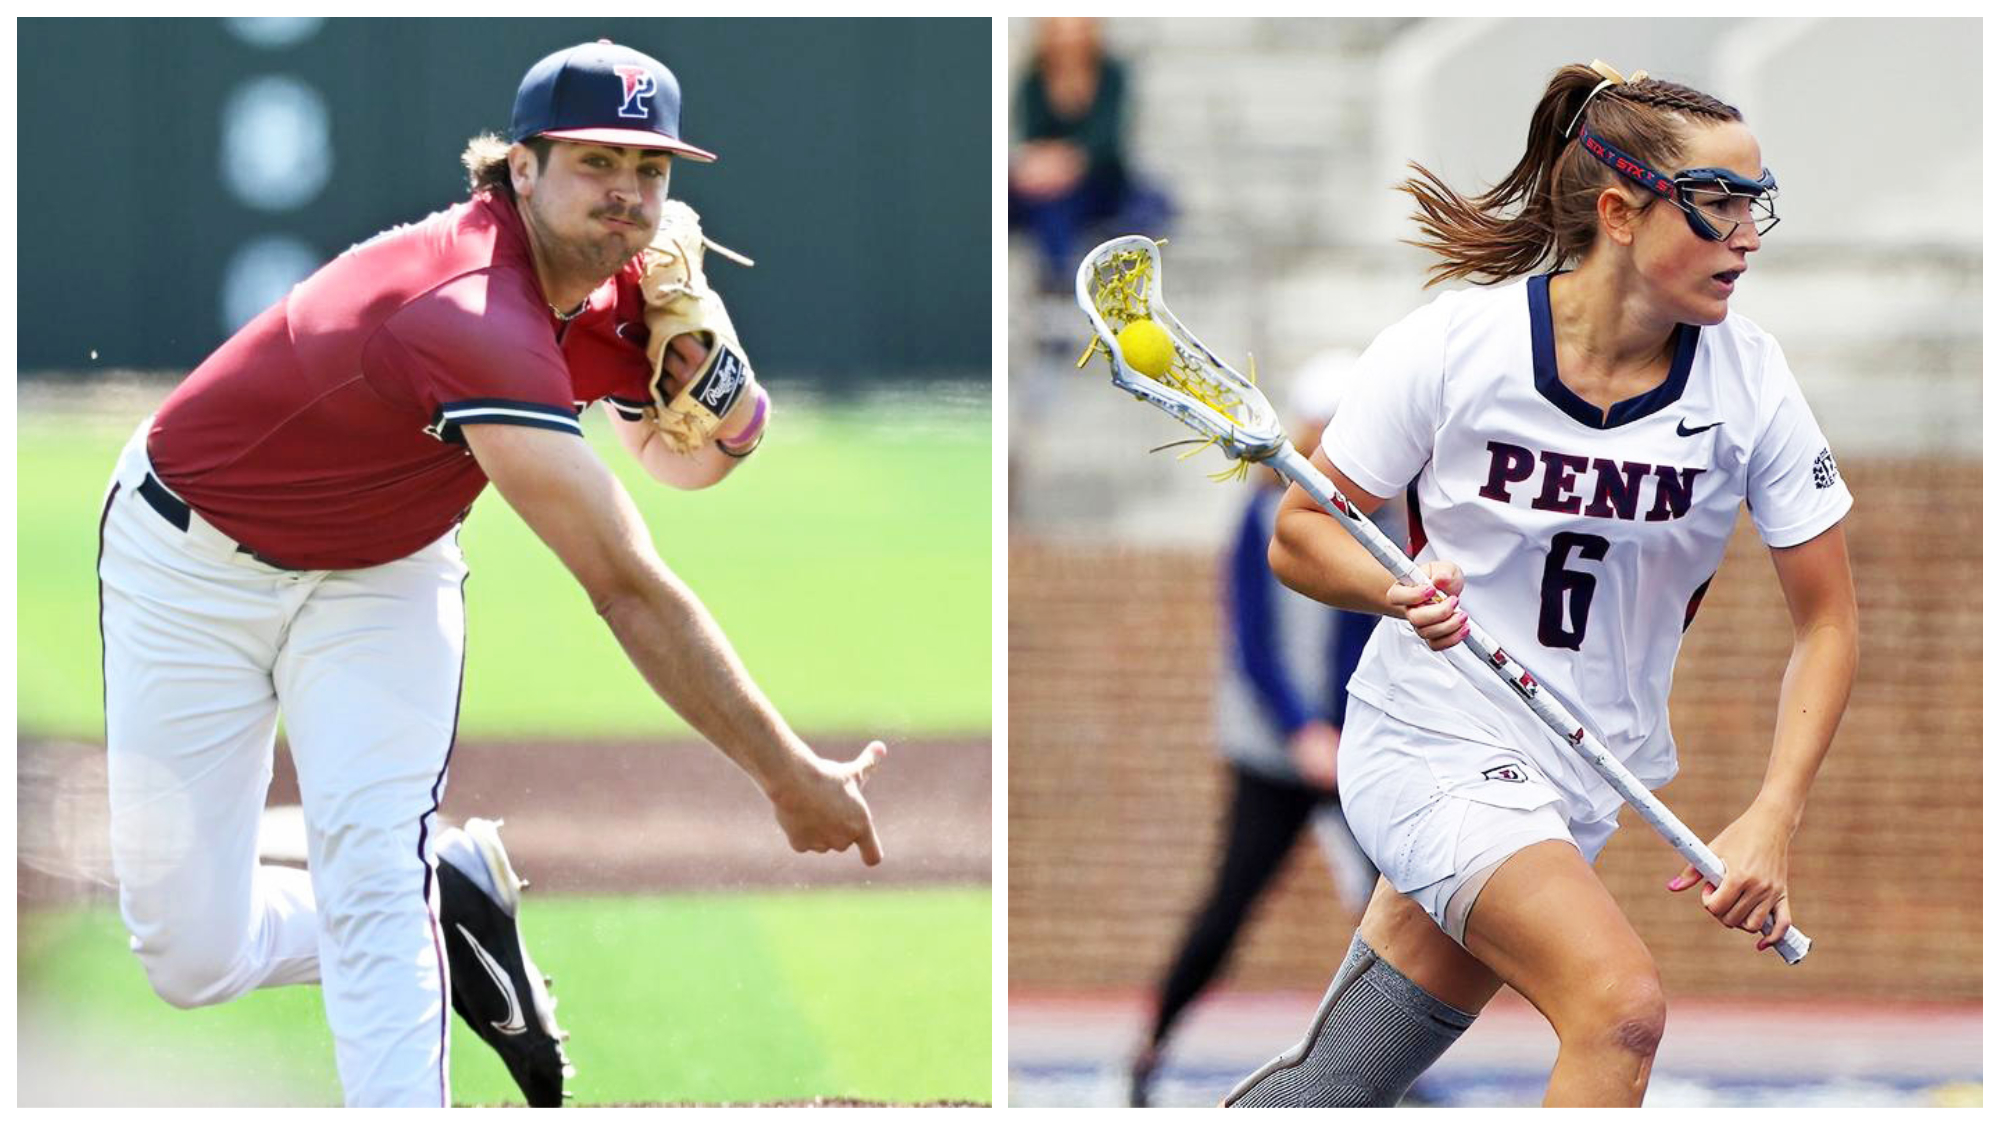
(857, 169)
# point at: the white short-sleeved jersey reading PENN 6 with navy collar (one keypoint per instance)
(1587, 539)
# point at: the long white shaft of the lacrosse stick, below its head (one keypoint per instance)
(1481, 652)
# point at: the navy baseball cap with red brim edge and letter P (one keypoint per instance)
(605, 95)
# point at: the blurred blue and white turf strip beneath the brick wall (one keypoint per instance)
(1073, 1052)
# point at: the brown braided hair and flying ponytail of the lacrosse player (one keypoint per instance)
(1545, 211)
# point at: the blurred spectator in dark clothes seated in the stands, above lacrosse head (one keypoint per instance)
(1069, 173)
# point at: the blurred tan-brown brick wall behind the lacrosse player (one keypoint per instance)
(1117, 794)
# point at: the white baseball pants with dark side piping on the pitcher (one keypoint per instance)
(203, 650)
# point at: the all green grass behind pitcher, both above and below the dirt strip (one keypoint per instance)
(851, 564)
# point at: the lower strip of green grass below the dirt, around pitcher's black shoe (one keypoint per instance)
(669, 1000)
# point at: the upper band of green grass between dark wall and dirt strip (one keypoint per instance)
(851, 564)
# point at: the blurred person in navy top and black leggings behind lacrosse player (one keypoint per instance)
(1279, 708)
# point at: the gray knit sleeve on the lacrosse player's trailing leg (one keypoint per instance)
(1371, 1038)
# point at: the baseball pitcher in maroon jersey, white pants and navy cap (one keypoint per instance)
(283, 535)
